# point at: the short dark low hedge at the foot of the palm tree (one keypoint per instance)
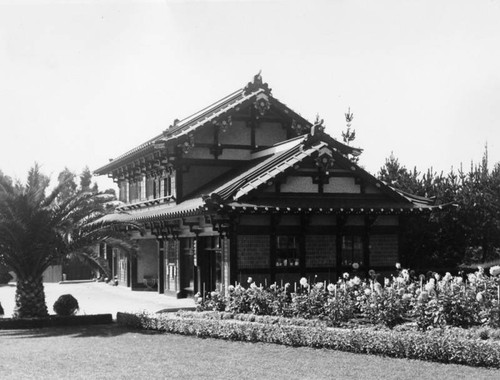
(55, 321)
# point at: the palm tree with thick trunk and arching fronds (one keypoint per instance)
(38, 230)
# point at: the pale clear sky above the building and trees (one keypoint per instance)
(85, 81)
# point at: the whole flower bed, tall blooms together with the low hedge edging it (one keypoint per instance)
(449, 319)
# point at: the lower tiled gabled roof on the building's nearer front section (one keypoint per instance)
(231, 194)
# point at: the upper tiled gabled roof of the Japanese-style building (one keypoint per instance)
(221, 108)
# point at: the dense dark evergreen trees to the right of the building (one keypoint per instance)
(465, 234)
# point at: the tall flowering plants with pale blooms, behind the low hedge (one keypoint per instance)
(428, 300)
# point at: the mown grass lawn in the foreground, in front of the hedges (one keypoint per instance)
(113, 352)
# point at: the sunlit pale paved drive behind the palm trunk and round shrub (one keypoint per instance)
(99, 298)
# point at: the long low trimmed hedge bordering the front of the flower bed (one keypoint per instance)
(410, 345)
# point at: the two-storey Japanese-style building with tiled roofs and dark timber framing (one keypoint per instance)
(248, 188)
